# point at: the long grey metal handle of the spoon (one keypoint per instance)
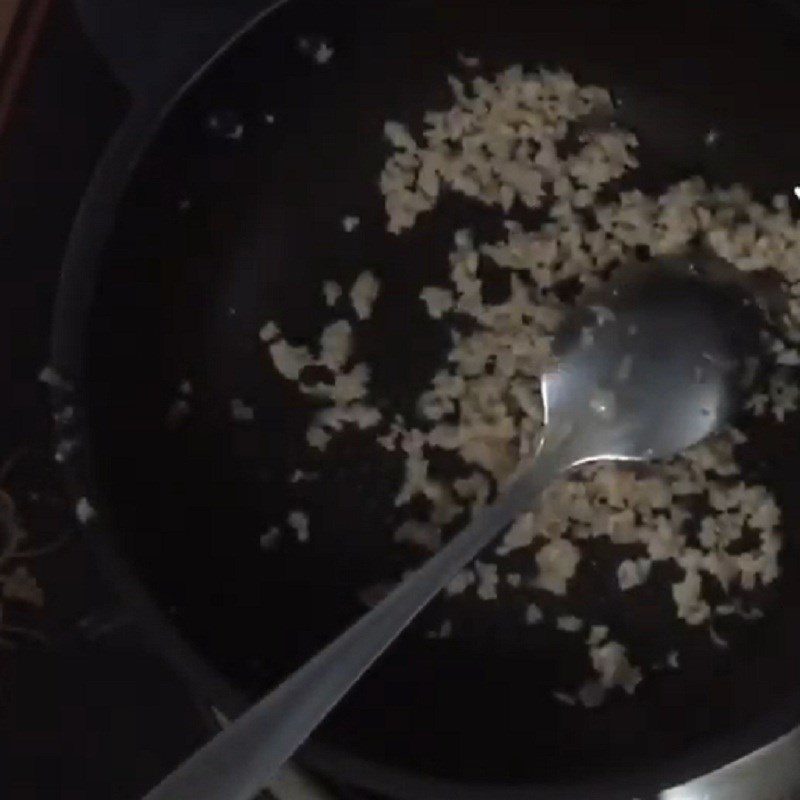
(241, 760)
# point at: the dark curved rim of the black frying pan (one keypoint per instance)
(79, 274)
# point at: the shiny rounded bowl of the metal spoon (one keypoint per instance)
(654, 363)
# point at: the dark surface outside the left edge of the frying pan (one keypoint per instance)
(86, 712)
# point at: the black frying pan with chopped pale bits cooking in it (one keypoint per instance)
(154, 293)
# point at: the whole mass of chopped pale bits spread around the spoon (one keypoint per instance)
(695, 529)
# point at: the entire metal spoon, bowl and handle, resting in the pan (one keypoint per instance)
(652, 365)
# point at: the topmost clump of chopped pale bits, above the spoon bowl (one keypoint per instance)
(467, 147)
